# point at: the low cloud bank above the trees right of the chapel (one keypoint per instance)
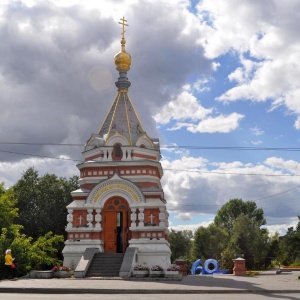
(203, 187)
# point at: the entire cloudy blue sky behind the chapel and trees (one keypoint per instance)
(216, 81)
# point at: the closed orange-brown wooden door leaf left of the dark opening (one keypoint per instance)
(110, 236)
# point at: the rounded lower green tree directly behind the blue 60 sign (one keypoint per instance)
(209, 242)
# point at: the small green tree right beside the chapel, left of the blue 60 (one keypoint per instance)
(180, 243)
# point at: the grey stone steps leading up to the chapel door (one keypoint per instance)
(105, 265)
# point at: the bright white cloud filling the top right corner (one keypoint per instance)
(265, 38)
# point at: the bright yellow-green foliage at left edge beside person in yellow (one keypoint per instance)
(29, 253)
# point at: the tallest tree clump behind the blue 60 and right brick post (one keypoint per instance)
(235, 232)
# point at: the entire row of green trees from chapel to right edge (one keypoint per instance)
(237, 231)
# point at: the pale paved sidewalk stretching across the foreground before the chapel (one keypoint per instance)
(266, 282)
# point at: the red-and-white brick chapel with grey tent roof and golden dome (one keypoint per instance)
(120, 203)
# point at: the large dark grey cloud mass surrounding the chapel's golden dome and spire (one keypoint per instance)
(57, 78)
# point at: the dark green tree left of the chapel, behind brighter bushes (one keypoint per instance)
(42, 202)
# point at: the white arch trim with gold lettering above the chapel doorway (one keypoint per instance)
(115, 186)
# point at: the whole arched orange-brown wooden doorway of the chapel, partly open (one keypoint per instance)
(116, 220)
